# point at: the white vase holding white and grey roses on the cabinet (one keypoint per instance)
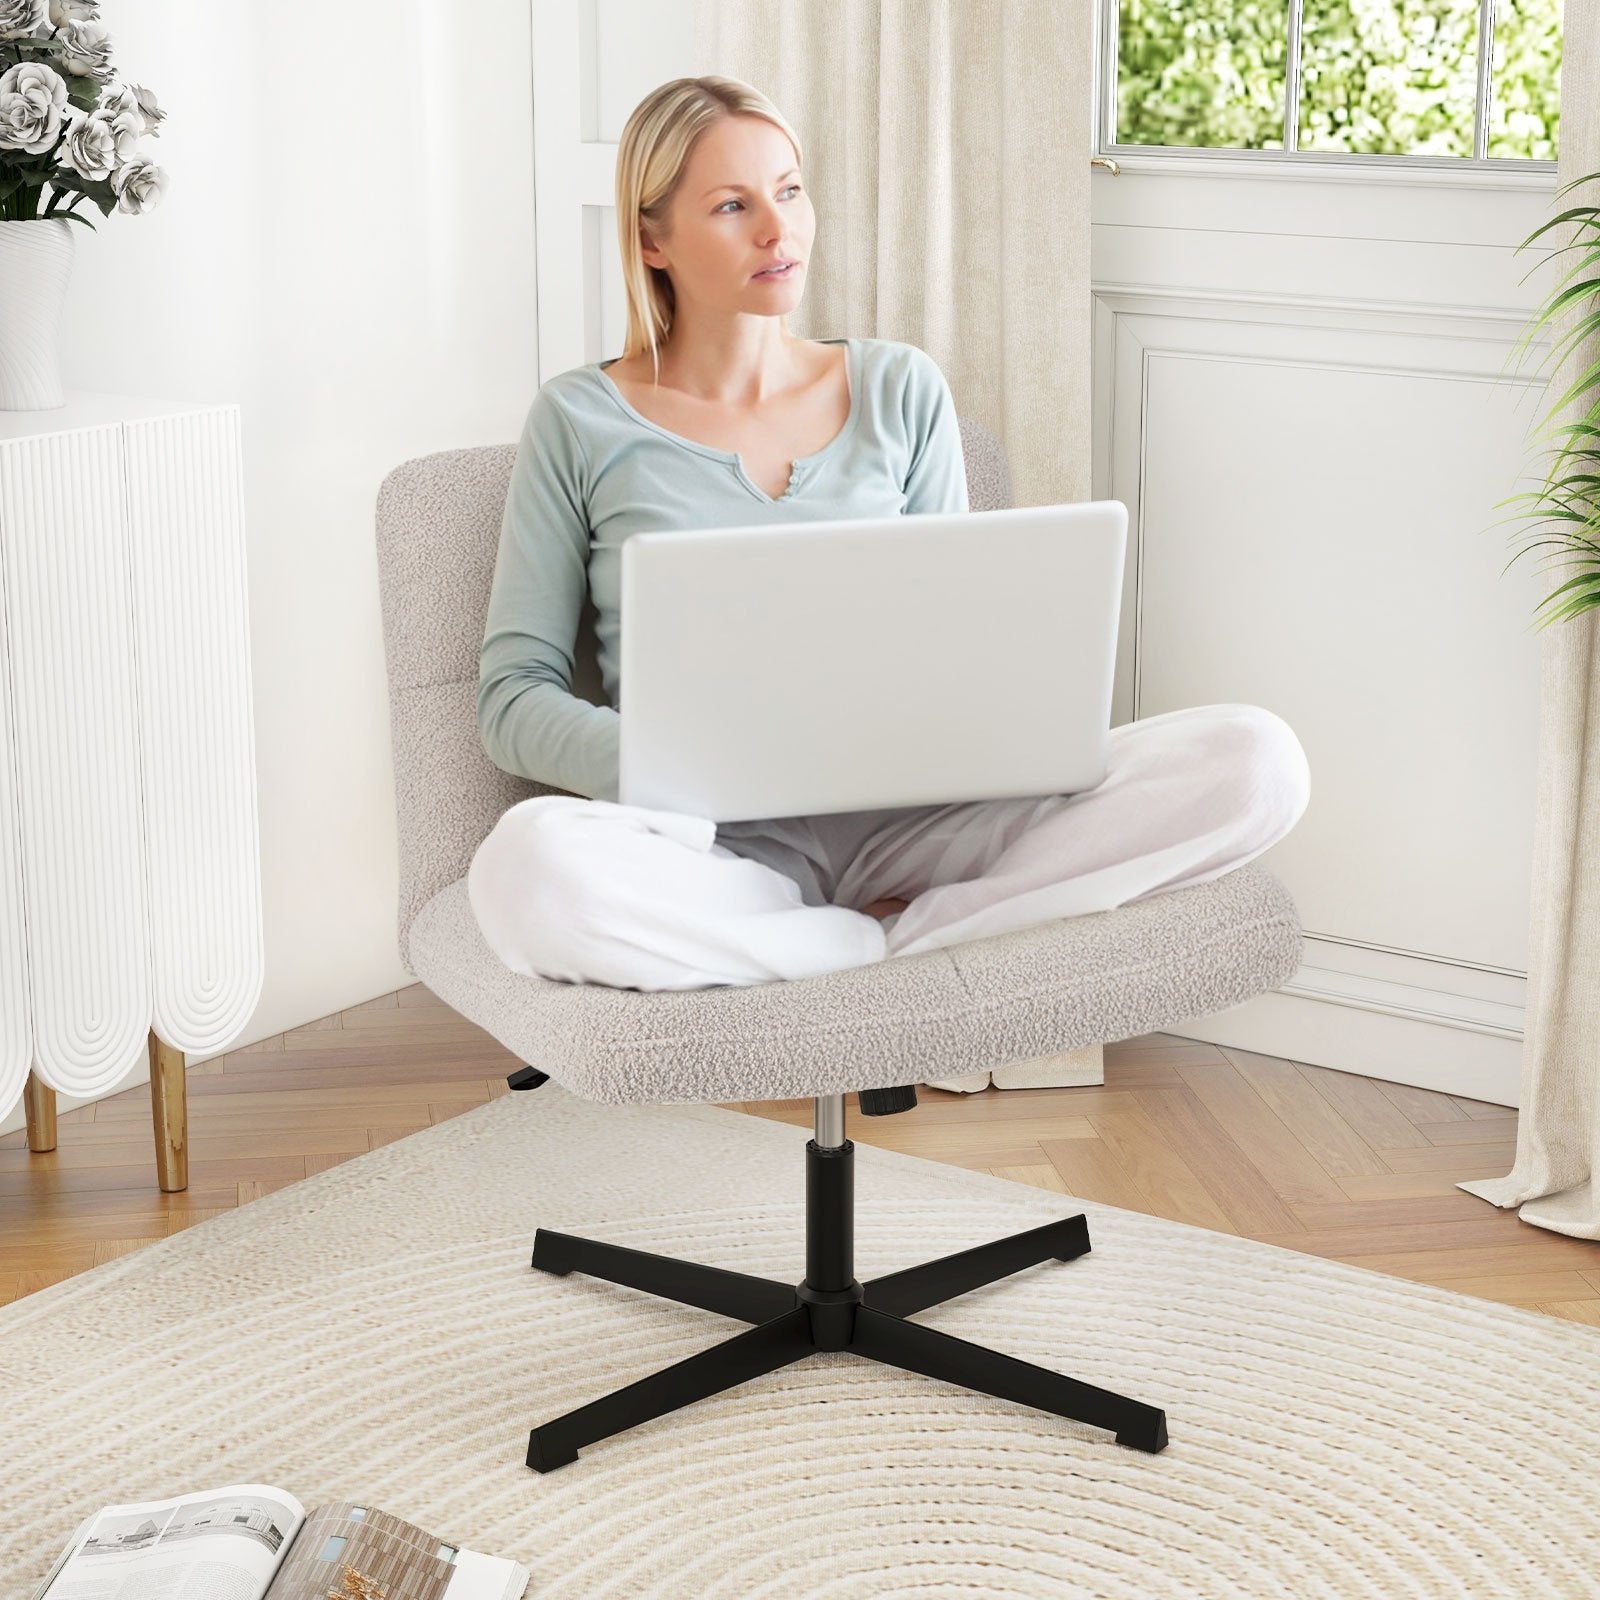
(66, 137)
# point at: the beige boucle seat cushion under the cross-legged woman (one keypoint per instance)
(1010, 998)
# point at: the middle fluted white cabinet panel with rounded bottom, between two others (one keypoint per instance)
(63, 522)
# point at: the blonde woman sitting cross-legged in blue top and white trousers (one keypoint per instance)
(718, 415)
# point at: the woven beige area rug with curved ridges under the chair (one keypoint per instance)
(377, 1334)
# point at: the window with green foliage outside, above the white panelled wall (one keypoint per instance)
(1439, 82)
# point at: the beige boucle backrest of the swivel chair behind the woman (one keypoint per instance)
(439, 522)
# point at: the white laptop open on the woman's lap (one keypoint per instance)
(798, 670)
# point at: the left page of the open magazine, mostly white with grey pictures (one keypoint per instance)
(215, 1545)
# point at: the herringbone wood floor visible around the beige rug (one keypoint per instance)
(1305, 1158)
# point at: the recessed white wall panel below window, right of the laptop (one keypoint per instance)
(1327, 514)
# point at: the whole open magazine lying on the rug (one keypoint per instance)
(258, 1543)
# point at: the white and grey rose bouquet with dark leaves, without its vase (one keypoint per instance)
(62, 126)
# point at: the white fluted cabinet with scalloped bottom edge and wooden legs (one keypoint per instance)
(130, 882)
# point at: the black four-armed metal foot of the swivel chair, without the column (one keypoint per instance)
(791, 1322)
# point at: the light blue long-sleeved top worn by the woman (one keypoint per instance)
(591, 471)
